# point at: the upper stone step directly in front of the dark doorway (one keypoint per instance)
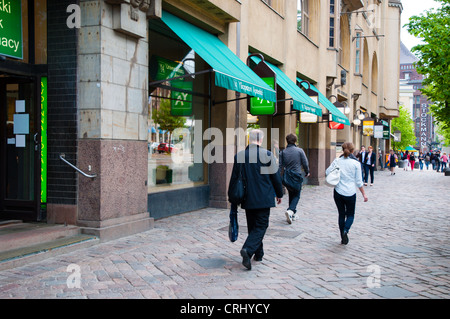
(21, 235)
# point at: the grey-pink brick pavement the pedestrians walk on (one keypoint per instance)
(399, 248)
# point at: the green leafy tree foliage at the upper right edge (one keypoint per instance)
(433, 27)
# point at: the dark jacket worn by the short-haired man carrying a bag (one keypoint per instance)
(262, 177)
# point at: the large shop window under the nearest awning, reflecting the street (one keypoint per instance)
(178, 108)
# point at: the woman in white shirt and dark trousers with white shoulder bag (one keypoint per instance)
(345, 190)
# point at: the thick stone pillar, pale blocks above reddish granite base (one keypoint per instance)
(113, 106)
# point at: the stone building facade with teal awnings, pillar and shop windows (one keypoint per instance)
(152, 115)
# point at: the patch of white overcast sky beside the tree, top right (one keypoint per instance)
(411, 8)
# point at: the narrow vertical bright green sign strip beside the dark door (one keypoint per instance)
(43, 140)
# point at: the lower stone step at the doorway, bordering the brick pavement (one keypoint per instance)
(21, 256)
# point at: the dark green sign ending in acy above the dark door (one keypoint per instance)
(11, 43)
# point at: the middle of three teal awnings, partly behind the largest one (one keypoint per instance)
(301, 101)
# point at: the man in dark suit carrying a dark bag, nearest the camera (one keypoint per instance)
(263, 184)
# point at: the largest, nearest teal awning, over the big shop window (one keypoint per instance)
(230, 72)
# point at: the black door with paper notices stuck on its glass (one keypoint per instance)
(19, 149)
